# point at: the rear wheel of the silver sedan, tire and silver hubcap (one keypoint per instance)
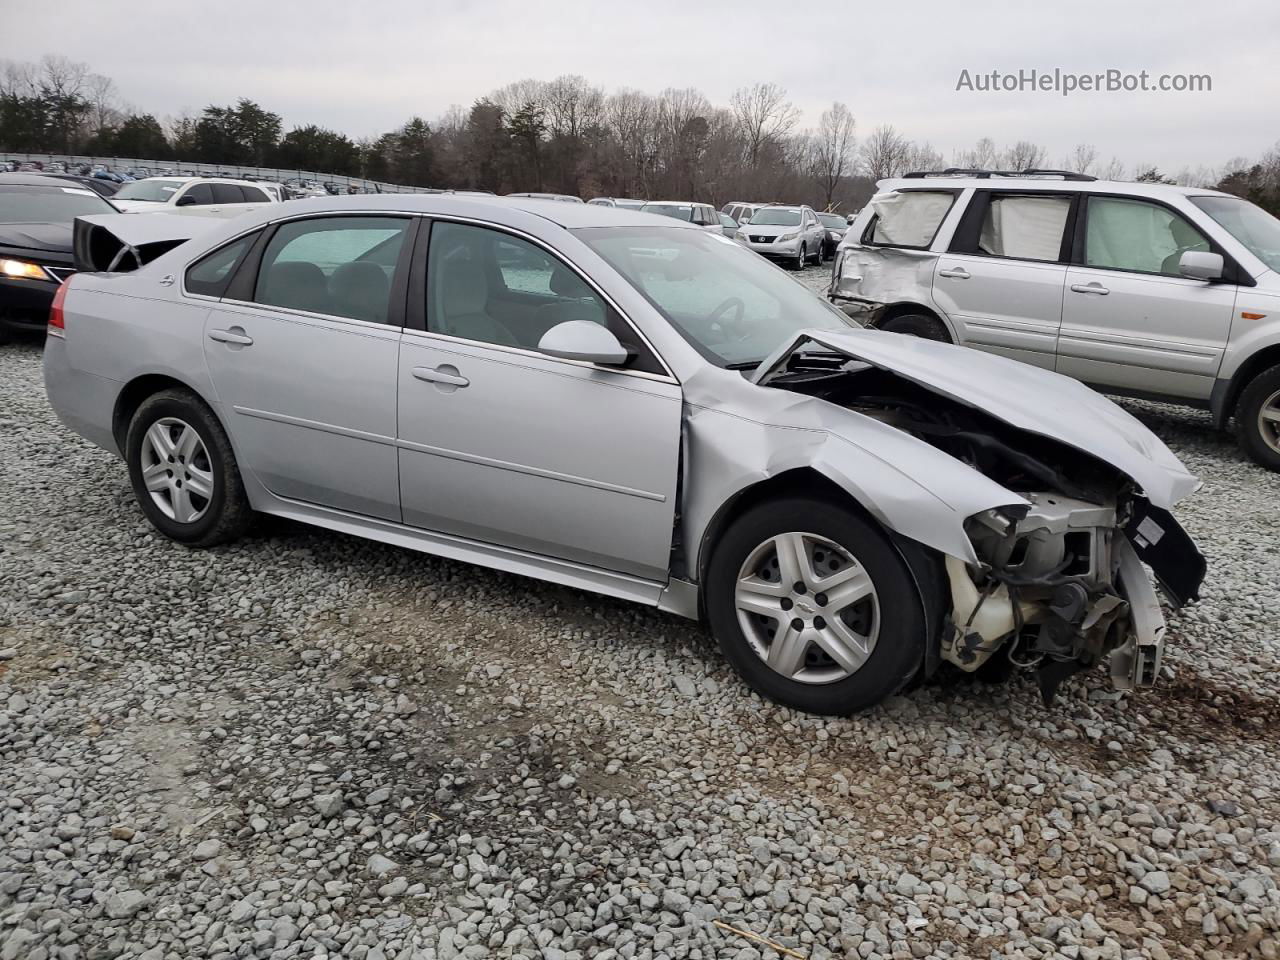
(184, 472)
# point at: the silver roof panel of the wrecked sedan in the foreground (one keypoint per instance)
(502, 211)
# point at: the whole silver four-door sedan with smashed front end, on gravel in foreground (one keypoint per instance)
(641, 410)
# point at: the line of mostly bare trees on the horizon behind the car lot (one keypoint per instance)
(563, 136)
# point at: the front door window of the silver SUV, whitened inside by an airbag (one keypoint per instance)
(1133, 235)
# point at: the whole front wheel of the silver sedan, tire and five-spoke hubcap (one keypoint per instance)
(815, 609)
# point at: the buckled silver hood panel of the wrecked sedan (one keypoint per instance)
(1023, 396)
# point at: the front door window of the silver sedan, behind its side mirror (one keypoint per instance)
(487, 286)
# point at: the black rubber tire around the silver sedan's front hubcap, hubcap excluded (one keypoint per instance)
(900, 647)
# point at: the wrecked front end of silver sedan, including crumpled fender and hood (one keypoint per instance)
(1043, 499)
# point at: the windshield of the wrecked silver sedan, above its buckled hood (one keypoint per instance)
(734, 308)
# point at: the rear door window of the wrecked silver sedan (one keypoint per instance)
(340, 266)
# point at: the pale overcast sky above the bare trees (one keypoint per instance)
(365, 68)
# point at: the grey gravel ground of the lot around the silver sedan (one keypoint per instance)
(310, 746)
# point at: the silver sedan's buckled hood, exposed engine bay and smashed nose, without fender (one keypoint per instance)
(1054, 579)
